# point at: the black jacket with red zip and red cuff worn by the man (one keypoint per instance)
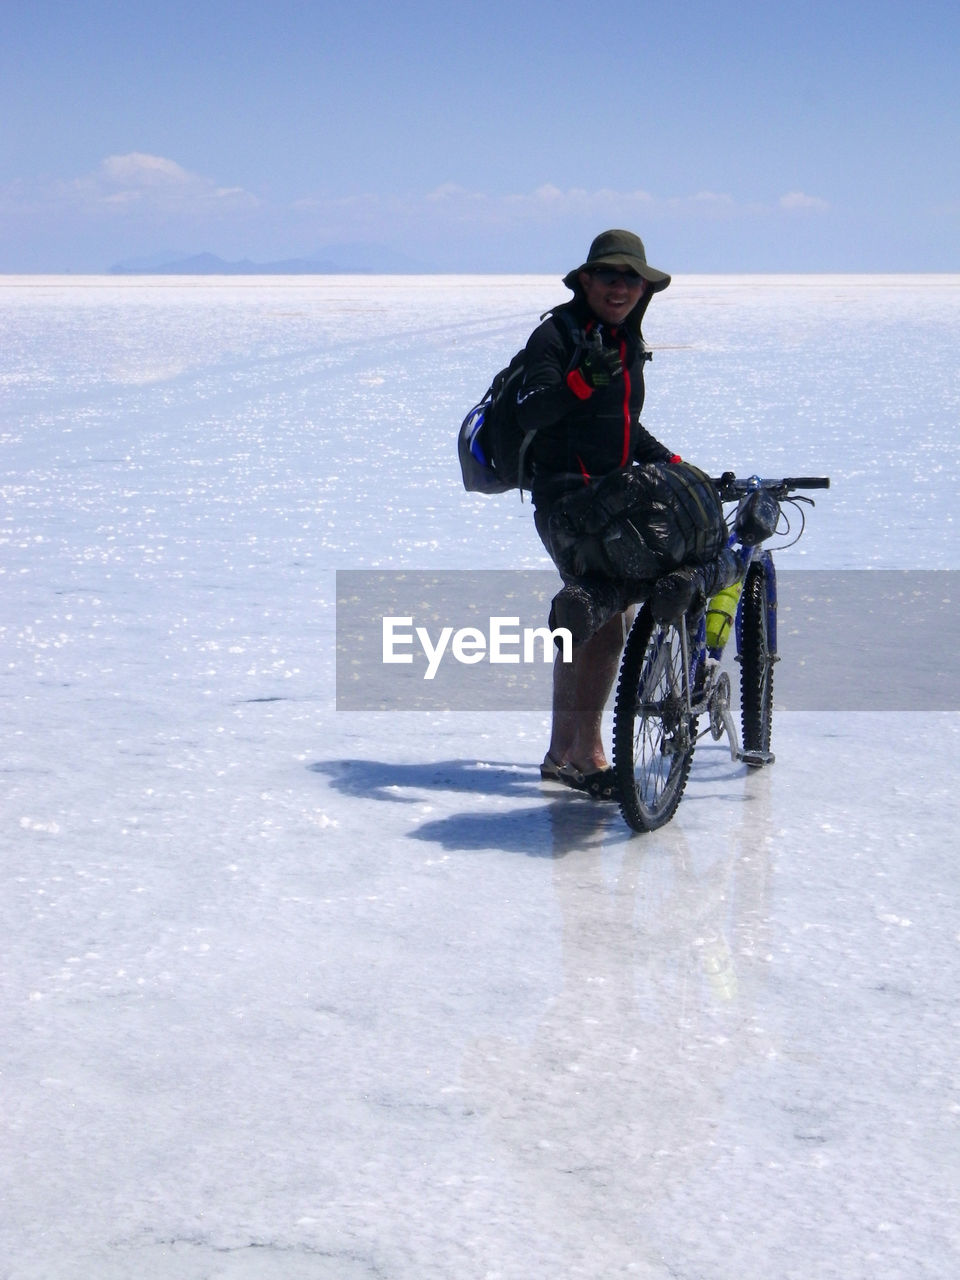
(582, 433)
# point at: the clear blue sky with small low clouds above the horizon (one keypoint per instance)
(483, 138)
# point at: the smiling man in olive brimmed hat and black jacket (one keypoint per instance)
(588, 424)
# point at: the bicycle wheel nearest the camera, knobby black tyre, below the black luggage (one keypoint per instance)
(655, 735)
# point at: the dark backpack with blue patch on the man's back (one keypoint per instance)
(492, 446)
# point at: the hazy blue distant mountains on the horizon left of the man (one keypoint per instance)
(341, 259)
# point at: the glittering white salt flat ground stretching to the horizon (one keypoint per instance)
(294, 993)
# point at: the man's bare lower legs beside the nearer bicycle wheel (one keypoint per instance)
(580, 693)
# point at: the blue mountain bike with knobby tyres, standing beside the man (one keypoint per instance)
(671, 675)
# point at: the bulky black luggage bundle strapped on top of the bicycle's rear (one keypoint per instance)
(639, 523)
